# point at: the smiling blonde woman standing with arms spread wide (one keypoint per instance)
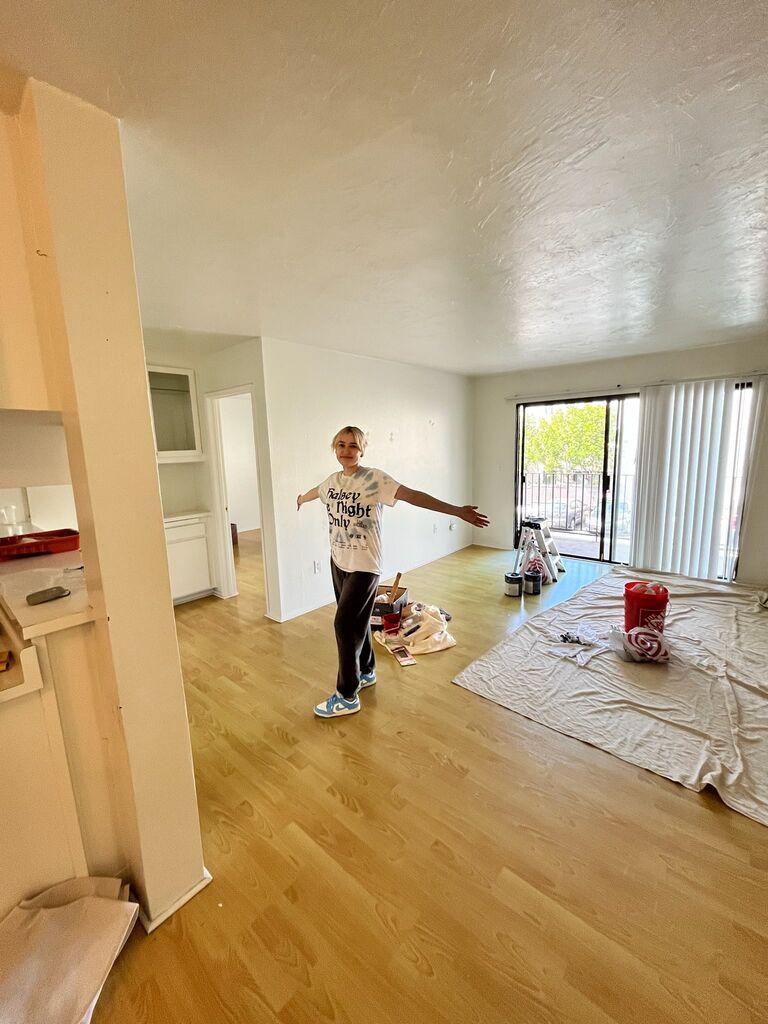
(355, 498)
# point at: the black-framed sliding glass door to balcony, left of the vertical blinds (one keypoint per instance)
(576, 464)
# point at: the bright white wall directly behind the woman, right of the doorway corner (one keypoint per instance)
(420, 430)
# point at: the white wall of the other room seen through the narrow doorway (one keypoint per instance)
(240, 461)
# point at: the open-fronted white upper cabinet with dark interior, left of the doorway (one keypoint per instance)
(175, 414)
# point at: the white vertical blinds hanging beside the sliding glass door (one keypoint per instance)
(693, 459)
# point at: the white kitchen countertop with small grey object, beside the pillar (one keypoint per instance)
(21, 577)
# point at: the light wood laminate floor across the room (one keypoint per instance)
(436, 859)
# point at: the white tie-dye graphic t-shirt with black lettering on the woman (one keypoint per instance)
(355, 514)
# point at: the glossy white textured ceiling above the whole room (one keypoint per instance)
(479, 186)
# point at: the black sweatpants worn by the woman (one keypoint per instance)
(356, 595)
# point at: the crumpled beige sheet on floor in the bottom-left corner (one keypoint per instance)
(58, 949)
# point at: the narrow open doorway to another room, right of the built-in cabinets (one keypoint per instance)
(237, 491)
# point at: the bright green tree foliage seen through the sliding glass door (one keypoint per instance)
(569, 440)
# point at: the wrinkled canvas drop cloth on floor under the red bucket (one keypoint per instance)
(701, 719)
